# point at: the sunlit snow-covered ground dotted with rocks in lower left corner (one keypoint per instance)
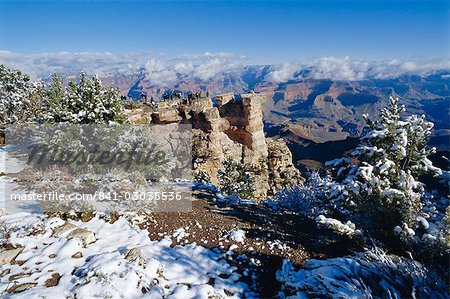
(121, 262)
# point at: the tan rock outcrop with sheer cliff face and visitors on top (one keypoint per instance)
(231, 128)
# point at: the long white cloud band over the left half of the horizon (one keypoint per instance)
(158, 68)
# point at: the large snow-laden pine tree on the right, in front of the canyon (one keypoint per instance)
(380, 184)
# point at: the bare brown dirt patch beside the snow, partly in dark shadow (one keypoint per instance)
(270, 236)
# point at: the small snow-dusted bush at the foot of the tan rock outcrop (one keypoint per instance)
(236, 179)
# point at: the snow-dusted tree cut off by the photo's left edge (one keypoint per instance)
(19, 97)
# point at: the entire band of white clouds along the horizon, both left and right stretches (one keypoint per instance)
(160, 69)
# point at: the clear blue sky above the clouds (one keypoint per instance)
(264, 31)
